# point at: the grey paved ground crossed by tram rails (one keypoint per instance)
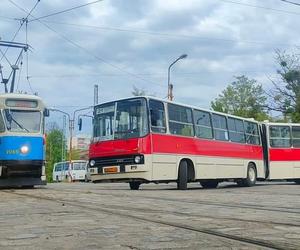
(110, 216)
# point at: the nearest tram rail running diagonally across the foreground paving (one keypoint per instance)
(117, 211)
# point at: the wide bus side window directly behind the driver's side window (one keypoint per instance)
(180, 120)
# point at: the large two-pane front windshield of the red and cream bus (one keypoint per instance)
(121, 120)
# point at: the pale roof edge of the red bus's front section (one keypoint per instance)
(185, 105)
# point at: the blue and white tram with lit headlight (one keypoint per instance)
(22, 141)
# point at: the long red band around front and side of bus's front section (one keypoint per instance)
(171, 144)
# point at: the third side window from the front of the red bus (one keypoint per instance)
(203, 124)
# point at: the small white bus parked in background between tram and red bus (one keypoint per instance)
(62, 171)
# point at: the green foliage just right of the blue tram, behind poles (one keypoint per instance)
(55, 141)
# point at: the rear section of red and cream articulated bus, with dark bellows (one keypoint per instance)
(281, 142)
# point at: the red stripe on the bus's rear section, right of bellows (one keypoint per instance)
(284, 154)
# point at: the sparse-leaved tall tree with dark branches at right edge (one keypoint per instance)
(285, 94)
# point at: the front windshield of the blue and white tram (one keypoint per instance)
(23, 120)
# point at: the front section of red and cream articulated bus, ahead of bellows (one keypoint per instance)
(145, 139)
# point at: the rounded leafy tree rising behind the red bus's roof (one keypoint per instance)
(243, 97)
